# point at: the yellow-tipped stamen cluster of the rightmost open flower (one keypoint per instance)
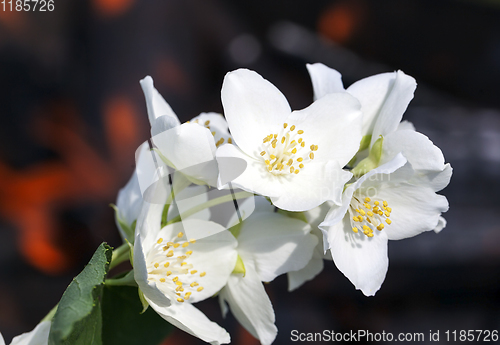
(370, 214)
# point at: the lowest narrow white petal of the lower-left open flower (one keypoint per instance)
(187, 317)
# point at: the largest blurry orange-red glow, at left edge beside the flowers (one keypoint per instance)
(32, 199)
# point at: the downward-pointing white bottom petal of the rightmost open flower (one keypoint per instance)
(361, 259)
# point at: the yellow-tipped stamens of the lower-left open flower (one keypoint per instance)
(168, 265)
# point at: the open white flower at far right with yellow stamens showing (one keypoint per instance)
(382, 205)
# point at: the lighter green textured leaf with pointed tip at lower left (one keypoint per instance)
(78, 316)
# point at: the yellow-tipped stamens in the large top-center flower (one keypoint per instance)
(286, 152)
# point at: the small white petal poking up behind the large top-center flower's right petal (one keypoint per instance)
(325, 80)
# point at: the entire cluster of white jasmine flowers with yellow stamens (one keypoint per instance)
(335, 180)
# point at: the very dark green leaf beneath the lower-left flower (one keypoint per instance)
(123, 323)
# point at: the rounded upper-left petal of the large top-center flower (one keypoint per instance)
(253, 108)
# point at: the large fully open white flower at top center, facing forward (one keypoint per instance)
(295, 158)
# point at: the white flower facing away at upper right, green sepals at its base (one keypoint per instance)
(384, 98)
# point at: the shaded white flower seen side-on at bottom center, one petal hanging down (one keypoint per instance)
(269, 244)
